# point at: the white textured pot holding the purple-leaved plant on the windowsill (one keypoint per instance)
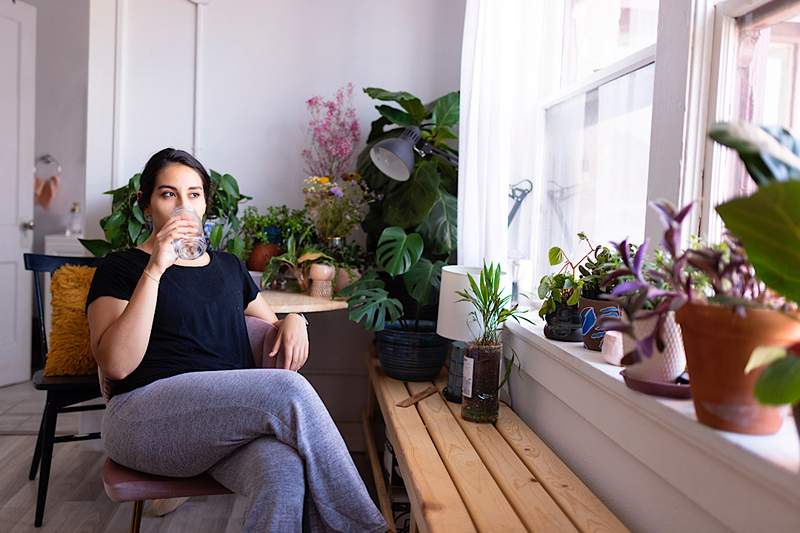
(664, 366)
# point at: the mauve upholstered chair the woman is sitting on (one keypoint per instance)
(127, 485)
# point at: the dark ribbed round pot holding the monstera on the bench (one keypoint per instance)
(411, 355)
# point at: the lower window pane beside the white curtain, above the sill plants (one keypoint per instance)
(596, 165)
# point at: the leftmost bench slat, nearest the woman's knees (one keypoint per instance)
(435, 500)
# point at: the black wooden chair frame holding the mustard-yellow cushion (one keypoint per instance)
(63, 392)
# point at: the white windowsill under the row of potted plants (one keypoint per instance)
(771, 461)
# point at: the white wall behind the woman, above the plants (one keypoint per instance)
(243, 101)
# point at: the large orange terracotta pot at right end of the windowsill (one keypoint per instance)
(718, 346)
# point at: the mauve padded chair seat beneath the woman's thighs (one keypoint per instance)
(124, 485)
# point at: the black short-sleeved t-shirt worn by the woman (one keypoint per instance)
(199, 318)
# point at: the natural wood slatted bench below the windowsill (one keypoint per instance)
(462, 476)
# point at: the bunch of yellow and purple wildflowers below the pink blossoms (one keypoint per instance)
(336, 207)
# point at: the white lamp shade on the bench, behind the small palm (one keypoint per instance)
(454, 320)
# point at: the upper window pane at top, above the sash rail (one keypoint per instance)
(599, 33)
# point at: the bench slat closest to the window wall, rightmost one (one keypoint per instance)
(585, 510)
